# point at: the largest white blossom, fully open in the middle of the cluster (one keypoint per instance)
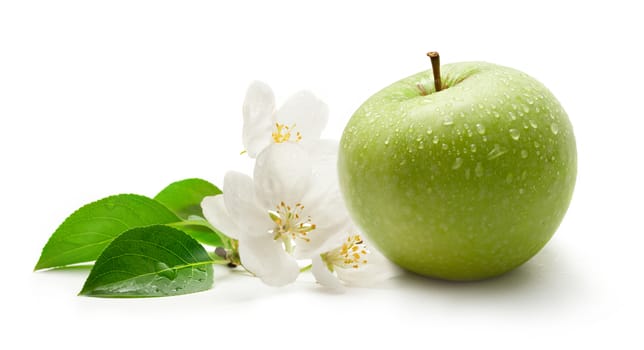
(290, 209)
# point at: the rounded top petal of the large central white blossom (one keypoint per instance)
(282, 174)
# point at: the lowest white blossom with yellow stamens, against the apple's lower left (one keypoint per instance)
(351, 262)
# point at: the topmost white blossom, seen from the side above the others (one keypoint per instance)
(300, 119)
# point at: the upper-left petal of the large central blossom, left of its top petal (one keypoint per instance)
(242, 205)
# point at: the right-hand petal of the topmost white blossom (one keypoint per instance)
(308, 113)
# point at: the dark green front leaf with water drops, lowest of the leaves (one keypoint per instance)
(151, 261)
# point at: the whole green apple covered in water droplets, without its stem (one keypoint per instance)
(462, 184)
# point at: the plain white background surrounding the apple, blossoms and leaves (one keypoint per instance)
(128, 96)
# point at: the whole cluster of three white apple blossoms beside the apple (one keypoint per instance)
(291, 211)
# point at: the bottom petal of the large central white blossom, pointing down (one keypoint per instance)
(266, 258)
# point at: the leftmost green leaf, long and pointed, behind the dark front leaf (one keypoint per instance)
(85, 233)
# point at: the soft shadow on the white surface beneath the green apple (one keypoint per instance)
(545, 282)
